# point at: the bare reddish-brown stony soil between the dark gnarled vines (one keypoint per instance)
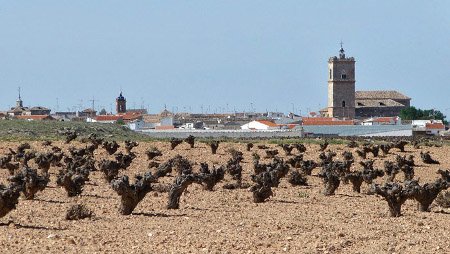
(295, 220)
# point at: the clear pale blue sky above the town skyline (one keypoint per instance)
(219, 55)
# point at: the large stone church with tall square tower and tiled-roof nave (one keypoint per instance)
(346, 103)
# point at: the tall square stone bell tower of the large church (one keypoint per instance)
(341, 86)
